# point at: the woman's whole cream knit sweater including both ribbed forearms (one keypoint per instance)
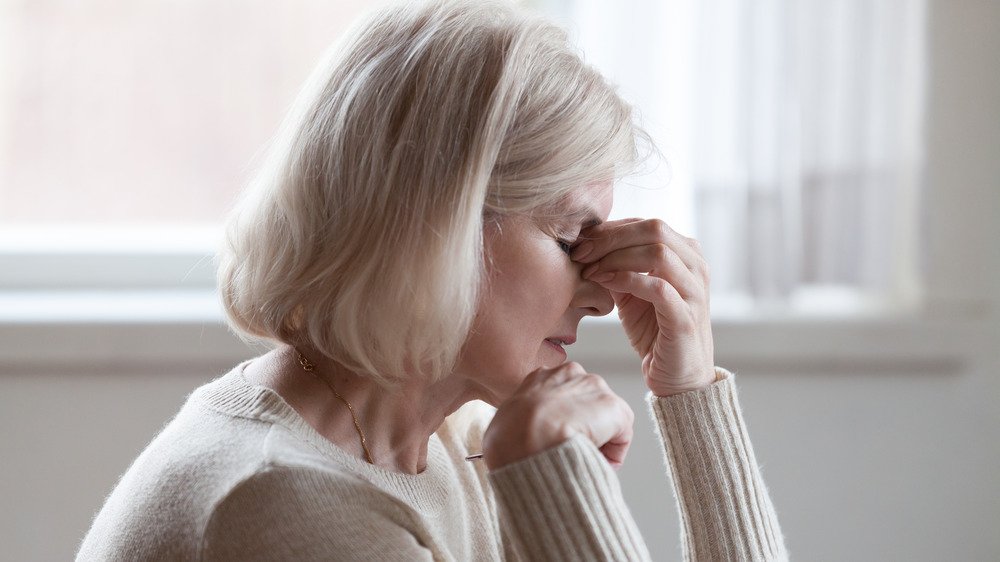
(239, 475)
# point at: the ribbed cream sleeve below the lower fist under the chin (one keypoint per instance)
(565, 503)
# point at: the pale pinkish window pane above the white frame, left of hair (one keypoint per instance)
(138, 113)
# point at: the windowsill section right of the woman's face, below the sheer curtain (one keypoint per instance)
(812, 344)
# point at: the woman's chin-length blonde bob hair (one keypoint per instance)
(361, 235)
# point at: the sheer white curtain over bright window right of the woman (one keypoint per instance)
(792, 137)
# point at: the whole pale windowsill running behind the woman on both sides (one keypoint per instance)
(129, 331)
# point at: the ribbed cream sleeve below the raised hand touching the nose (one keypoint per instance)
(725, 509)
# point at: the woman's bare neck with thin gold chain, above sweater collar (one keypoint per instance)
(397, 423)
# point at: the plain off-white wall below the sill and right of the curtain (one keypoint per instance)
(866, 459)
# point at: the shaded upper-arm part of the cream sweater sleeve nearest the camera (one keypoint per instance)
(288, 514)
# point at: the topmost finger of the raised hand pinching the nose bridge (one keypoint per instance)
(602, 239)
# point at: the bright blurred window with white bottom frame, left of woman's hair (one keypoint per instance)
(128, 129)
